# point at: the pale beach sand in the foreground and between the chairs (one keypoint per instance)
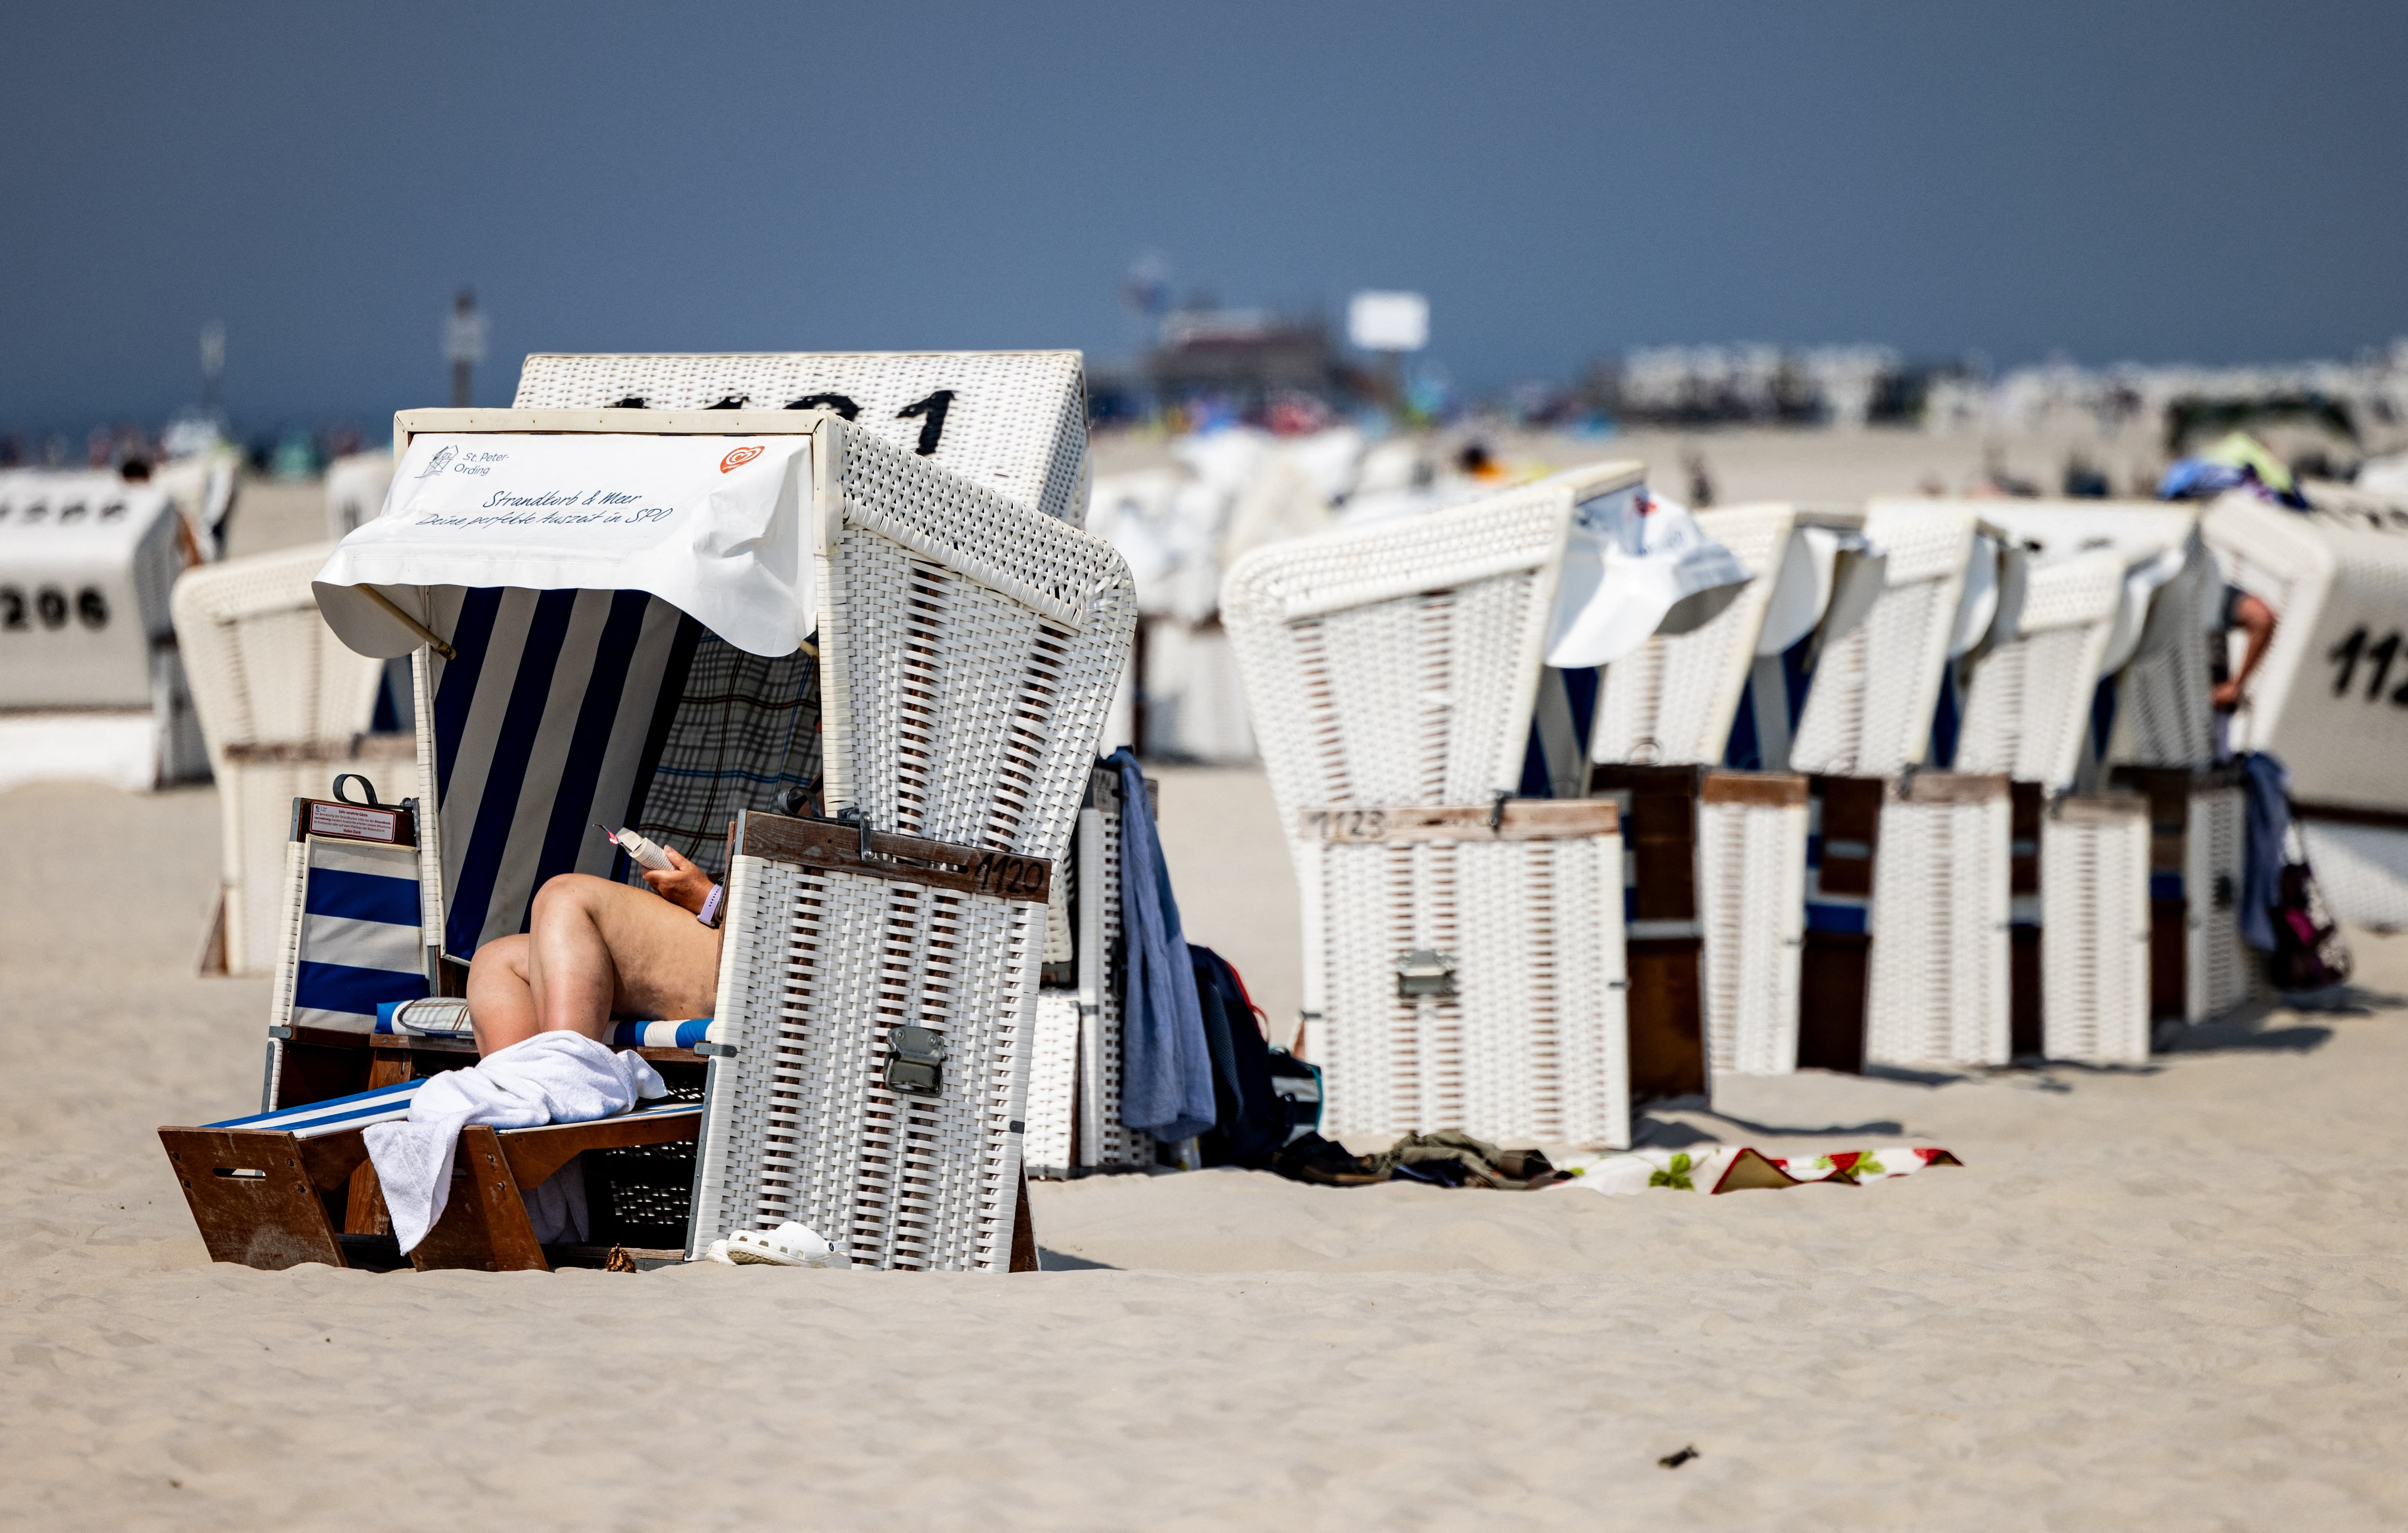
(2152, 1298)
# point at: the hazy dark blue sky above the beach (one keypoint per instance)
(2159, 182)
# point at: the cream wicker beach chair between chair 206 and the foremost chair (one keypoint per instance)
(283, 706)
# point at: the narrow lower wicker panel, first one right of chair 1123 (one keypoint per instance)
(1752, 896)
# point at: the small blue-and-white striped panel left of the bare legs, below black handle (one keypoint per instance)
(360, 935)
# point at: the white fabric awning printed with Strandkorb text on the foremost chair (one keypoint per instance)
(707, 523)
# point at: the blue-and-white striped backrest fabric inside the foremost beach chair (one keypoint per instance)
(548, 721)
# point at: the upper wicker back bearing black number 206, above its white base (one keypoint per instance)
(85, 574)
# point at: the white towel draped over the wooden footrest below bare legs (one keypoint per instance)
(548, 1079)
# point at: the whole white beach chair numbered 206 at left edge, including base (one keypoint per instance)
(90, 680)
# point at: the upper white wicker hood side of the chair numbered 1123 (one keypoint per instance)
(1398, 663)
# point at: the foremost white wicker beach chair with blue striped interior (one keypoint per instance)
(967, 653)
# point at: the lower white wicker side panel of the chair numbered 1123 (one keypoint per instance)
(1533, 1041)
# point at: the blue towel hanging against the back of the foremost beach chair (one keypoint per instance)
(1164, 1060)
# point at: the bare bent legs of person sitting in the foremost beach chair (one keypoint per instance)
(594, 949)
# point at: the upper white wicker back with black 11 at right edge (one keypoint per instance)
(2332, 694)
